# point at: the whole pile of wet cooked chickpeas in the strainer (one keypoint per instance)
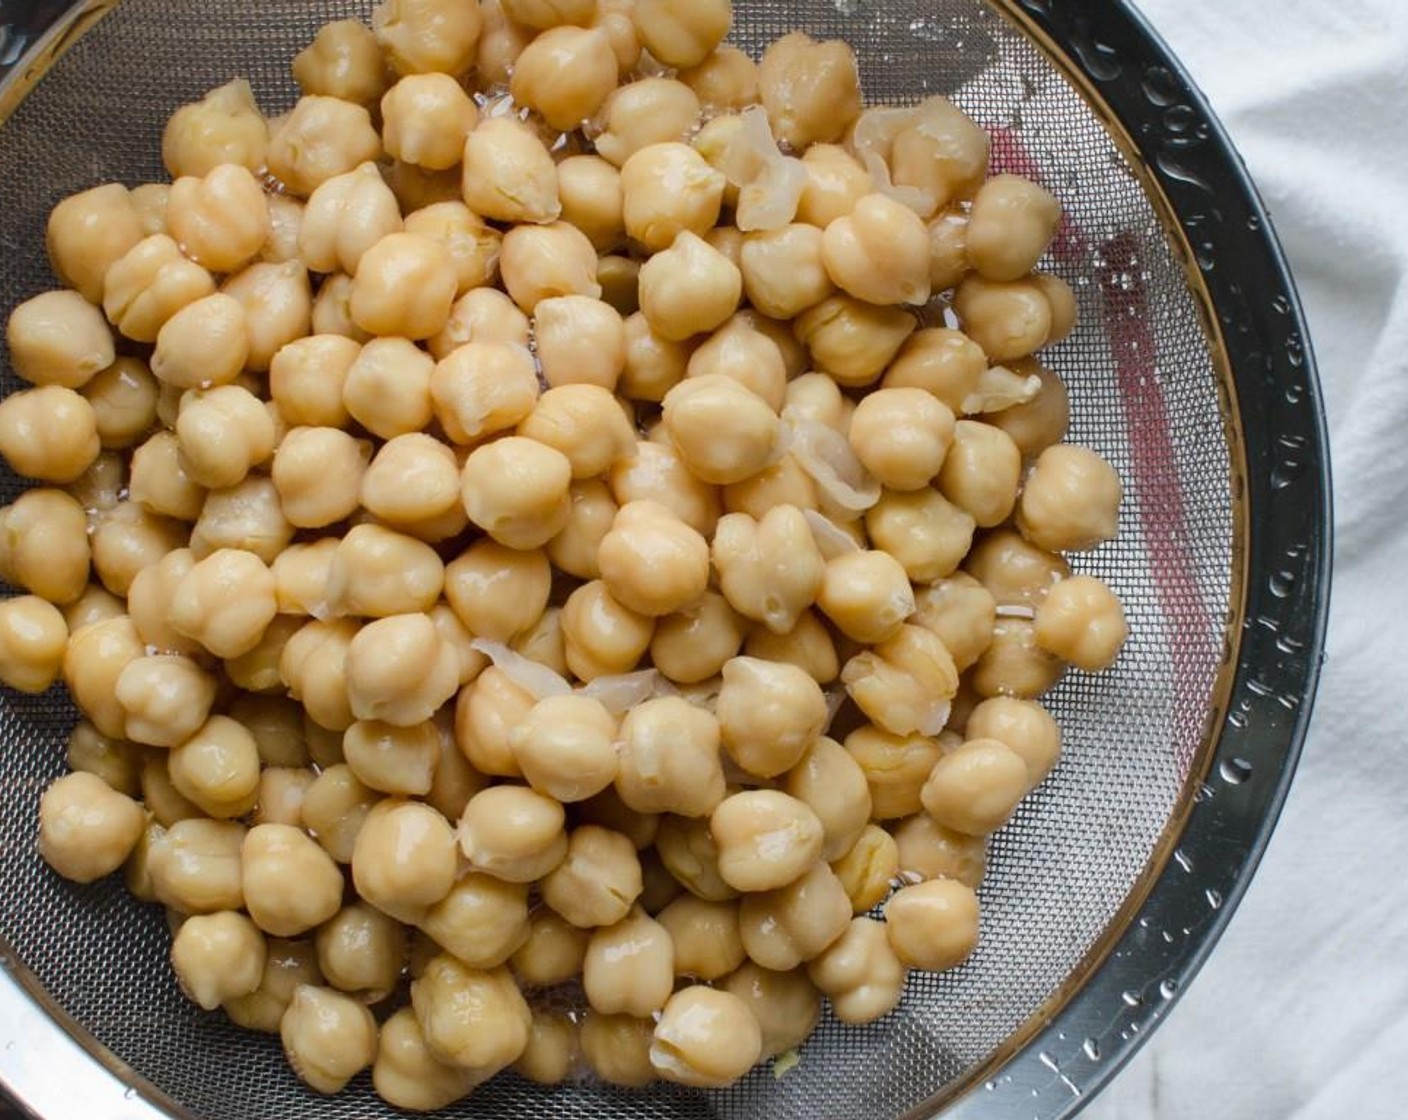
(468, 502)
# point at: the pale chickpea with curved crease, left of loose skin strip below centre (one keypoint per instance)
(401, 671)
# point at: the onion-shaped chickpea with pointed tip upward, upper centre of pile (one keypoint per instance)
(689, 290)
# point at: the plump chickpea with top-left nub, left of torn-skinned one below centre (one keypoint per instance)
(769, 714)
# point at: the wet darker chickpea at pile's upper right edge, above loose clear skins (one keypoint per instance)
(812, 89)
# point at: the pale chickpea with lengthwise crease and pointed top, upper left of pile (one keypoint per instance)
(346, 218)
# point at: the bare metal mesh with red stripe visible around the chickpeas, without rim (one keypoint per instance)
(1145, 395)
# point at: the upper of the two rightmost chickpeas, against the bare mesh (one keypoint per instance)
(1071, 501)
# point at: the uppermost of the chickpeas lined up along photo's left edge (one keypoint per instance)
(60, 339)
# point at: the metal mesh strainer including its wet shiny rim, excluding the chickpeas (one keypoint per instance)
(1189, 371)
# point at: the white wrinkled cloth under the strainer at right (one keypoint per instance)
(1302, 1012)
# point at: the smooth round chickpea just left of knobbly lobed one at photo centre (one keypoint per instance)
(651, 561)
